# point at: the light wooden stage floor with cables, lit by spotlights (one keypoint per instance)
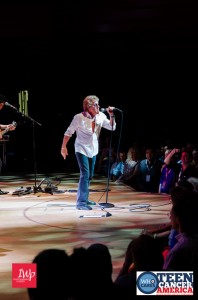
(47, 218)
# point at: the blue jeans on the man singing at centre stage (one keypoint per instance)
(86, 166)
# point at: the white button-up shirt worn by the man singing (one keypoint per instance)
(86, 140)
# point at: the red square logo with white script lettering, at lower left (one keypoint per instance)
(24, 275)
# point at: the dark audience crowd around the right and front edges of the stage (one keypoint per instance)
(87, 272)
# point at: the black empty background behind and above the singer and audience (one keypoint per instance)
(139, 56)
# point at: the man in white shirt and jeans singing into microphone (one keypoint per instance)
(87, 126)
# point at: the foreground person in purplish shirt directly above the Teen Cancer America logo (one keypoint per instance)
(183, 215)
